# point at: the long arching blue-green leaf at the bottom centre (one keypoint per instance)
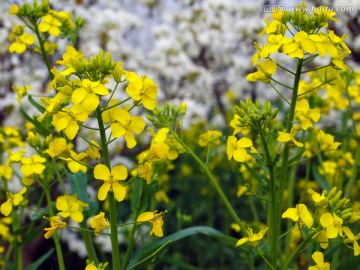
(151, 248)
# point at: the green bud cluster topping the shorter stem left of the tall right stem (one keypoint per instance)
(255, 115)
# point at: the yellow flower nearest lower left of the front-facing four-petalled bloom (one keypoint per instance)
(70, 206)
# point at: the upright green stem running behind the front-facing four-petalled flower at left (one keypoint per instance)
(111, 198)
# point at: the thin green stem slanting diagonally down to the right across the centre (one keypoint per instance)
(213, 181)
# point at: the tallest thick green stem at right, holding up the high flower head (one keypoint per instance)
(275, 245)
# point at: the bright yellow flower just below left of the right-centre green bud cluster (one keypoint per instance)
(237, 149)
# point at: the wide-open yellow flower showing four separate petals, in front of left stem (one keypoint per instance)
(119, 172)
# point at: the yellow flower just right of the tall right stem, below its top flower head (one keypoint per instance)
(305, 114)
